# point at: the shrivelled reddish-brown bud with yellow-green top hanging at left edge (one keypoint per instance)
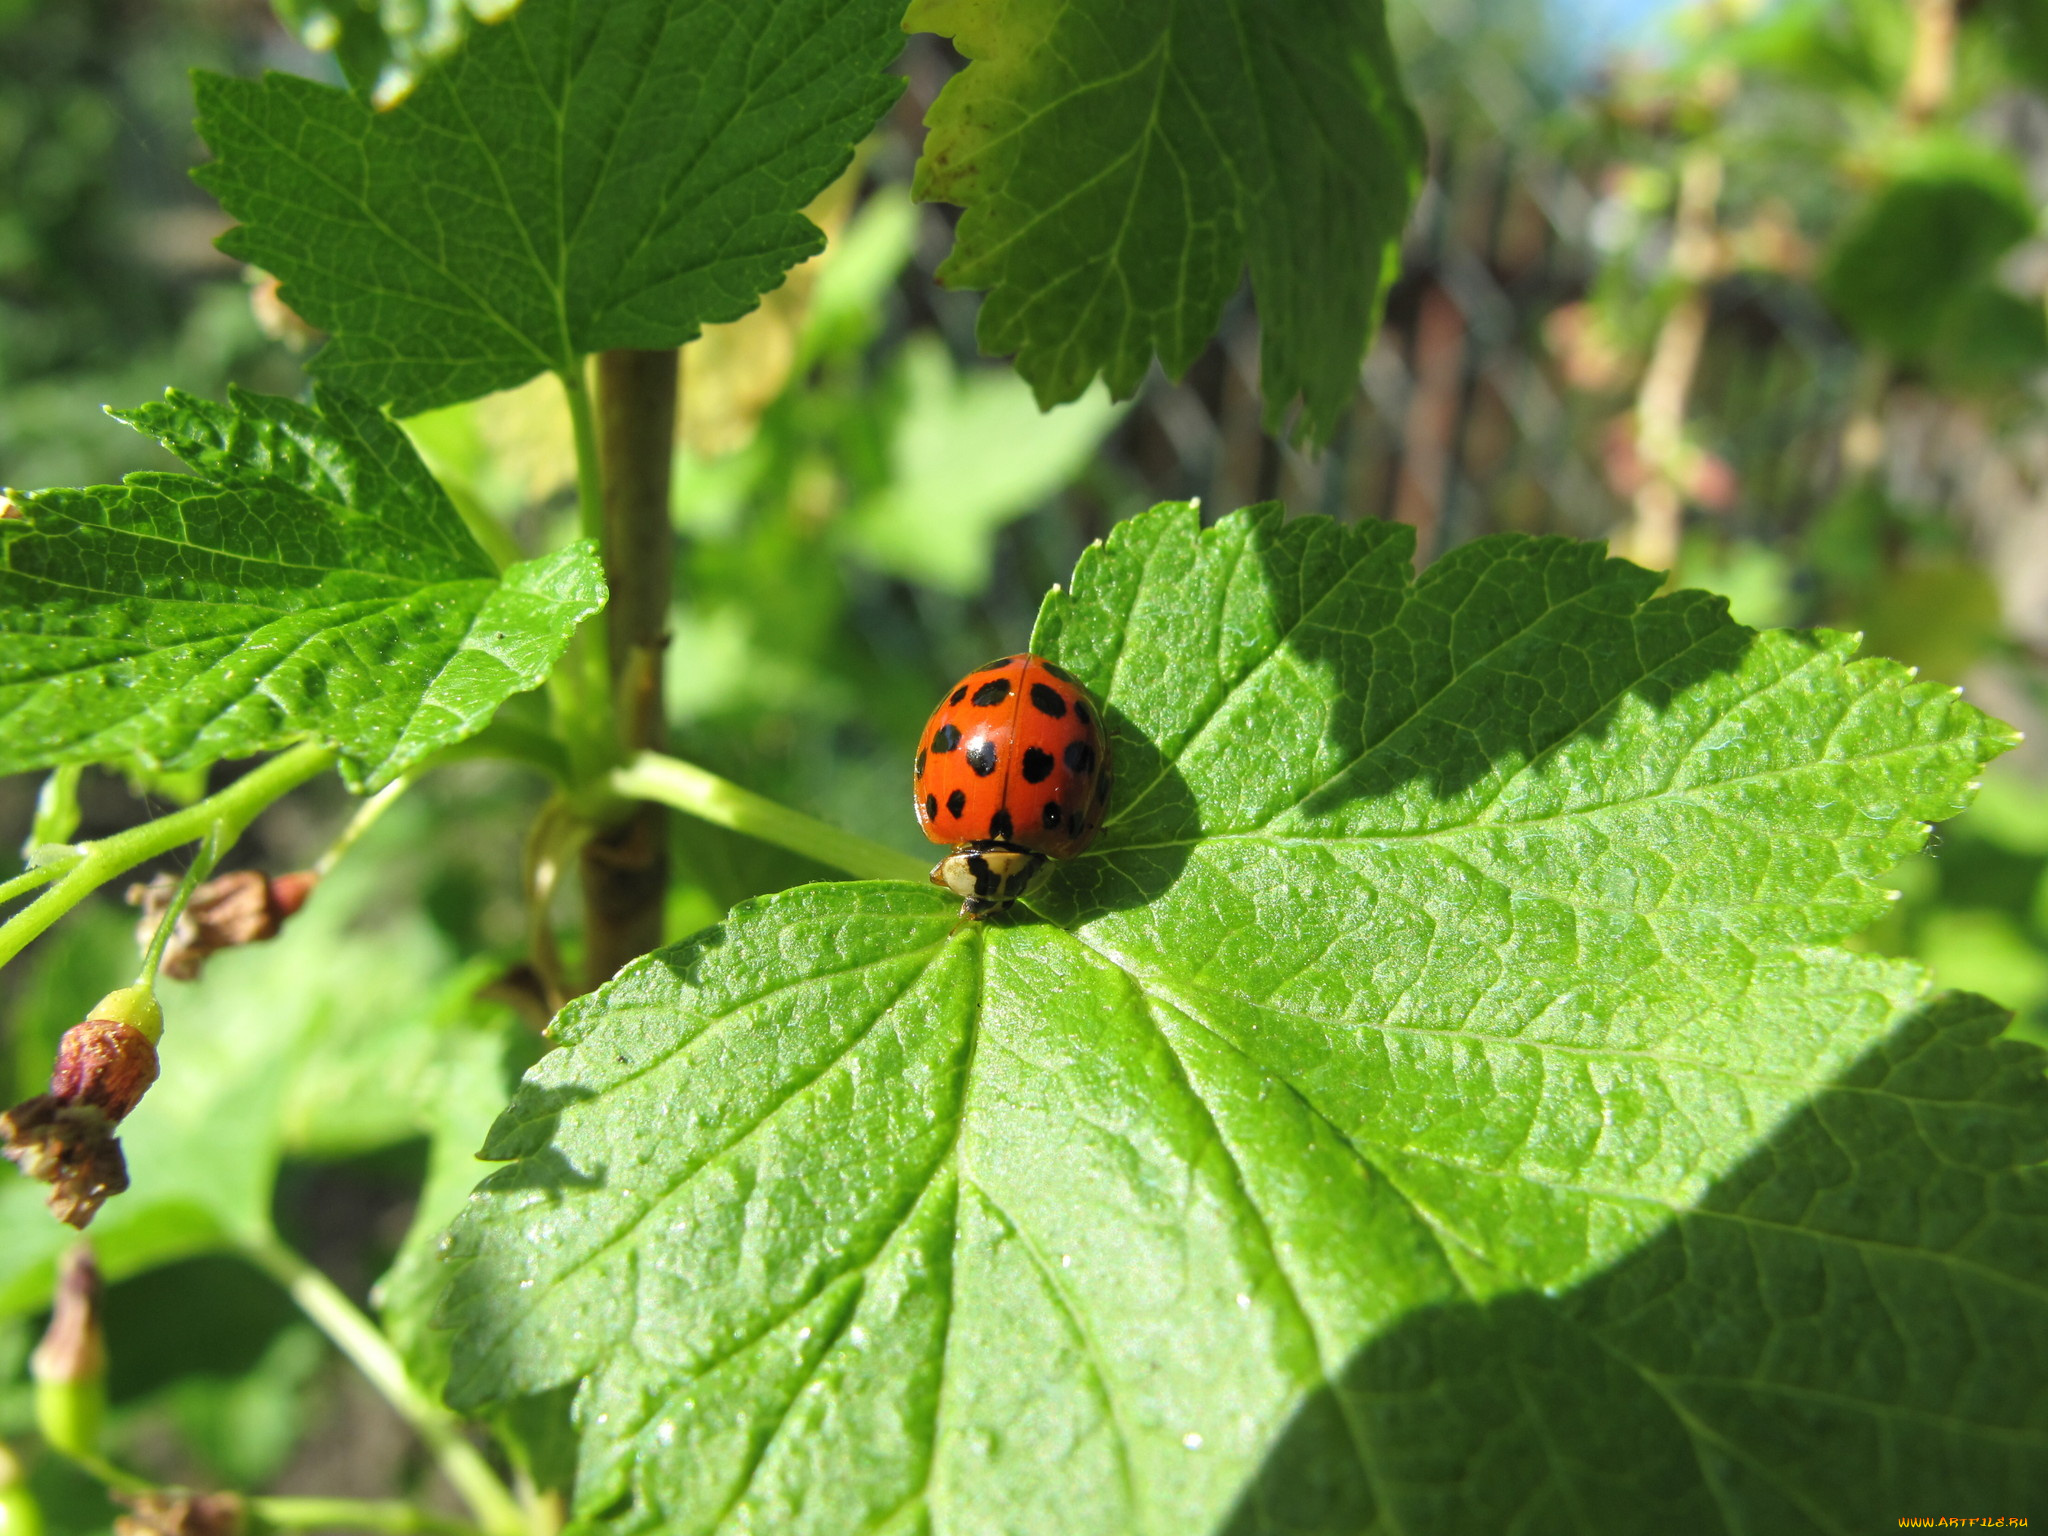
(67, 1138)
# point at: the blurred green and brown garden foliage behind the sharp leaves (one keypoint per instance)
(1756, 292)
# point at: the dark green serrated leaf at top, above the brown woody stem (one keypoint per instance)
(572, 179)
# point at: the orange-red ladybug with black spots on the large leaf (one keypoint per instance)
(1013, 771)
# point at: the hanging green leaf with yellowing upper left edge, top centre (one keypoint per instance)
(1121, 165)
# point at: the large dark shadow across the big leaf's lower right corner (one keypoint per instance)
(1846, 1330)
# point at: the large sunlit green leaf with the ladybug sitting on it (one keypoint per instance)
(1433, 1107)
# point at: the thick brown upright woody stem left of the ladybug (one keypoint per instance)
(626, 859)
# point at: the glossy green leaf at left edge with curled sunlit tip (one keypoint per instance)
(308, 581)
